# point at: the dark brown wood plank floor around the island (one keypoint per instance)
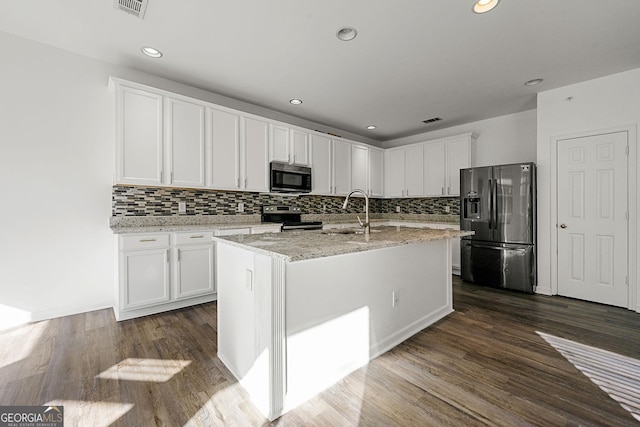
(486, 364)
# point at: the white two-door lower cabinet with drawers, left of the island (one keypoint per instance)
(164, 271)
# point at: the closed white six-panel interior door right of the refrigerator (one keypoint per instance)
(592, 218)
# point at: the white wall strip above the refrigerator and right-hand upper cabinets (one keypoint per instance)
(501, 140)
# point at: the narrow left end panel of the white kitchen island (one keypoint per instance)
(251, 323)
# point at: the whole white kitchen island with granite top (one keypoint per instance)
(298, 311)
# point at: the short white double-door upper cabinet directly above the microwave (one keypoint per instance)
(288, 145)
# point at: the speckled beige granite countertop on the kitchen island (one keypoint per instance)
(303, 245)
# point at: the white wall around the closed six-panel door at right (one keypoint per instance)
(595, 105)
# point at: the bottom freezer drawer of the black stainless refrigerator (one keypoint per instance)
(499, 265)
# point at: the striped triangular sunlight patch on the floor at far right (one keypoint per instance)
(617, 375)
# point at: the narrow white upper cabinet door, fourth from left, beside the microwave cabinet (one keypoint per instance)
(255, 154)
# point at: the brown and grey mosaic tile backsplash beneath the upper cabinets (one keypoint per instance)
(130, 201)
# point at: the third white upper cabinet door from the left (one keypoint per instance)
(224, 149)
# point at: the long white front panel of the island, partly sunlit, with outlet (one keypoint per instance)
(340, 311)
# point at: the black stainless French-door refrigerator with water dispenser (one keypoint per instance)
(499, 204)
